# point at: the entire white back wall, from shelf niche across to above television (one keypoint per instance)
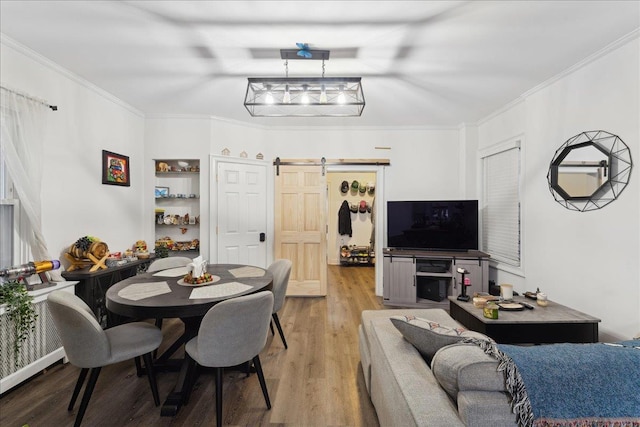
(425, 163)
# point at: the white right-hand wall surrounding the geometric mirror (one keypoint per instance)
(586, 260)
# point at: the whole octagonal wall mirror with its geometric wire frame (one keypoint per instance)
(589, 171)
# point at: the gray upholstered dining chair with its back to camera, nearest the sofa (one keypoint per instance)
(232, 332)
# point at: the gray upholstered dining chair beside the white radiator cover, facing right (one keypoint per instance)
(89, 347)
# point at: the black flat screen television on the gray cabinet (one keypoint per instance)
(447, 225)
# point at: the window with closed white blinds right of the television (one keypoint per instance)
(501, 214)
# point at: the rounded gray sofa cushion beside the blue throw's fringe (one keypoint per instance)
(461, 367)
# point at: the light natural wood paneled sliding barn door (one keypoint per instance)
(300, 227)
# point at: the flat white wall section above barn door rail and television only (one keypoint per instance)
(425, 162)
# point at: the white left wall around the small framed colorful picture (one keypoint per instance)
(75, 203)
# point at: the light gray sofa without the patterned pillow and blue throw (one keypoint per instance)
(461, 387)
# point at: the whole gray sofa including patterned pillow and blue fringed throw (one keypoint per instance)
(421, 368)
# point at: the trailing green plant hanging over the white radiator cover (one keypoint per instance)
(19, 311)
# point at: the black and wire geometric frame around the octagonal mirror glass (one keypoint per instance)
(618, 168)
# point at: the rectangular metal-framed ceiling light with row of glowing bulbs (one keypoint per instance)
(304, 96)
